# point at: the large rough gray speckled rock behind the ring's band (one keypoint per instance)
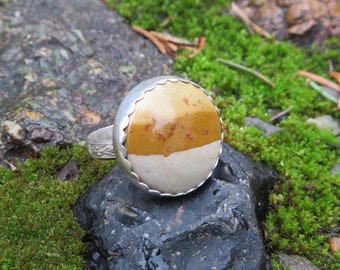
(64, 68)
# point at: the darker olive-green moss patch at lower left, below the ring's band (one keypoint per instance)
(38, 229)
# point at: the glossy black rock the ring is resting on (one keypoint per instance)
(214, 227)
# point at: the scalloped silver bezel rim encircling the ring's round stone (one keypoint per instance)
(121, 122)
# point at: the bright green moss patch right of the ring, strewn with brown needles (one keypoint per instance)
(305, 207)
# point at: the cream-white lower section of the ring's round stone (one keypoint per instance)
(179, 172)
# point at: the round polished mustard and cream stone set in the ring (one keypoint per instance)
(174, 137)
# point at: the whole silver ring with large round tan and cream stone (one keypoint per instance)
(167, 136)
